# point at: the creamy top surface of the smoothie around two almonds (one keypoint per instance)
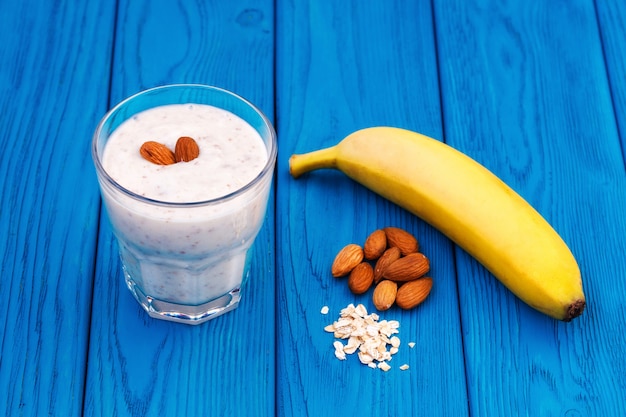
(232, 153)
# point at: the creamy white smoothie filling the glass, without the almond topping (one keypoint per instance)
(186, 254)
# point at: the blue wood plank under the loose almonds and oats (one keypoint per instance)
(342, 67)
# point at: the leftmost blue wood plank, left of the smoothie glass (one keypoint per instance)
(54, 60)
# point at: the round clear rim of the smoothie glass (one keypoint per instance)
(269, 165)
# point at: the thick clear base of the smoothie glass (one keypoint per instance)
(188, 314)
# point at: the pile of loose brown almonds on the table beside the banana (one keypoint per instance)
(391, 262)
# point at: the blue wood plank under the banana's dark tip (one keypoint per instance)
(525, 91)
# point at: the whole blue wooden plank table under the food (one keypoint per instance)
(534, 90)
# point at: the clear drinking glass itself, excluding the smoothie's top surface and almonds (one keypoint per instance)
(186, 261)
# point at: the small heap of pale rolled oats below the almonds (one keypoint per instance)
(366, 335)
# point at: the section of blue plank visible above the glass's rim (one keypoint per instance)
(226, 45)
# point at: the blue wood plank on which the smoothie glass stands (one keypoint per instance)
(142, 366)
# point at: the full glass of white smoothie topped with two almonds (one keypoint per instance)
(185, 226)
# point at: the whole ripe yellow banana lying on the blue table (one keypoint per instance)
(467, 203)
